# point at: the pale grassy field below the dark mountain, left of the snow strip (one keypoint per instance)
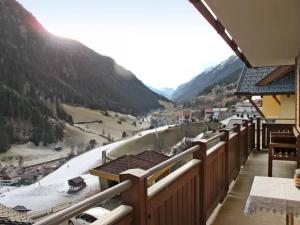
(75, 138)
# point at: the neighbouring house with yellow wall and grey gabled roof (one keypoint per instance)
(276, 85)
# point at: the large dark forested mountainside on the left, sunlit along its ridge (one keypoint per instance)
(40, 71)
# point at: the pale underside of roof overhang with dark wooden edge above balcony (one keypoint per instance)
(266, 32)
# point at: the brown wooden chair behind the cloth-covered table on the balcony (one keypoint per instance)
(284, 146)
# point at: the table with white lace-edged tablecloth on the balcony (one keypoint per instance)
(276, 195)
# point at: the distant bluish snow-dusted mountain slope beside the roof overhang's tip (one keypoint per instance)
(223, 73)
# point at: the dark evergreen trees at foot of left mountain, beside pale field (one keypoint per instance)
(29, 117)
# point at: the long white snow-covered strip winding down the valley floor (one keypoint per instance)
(52, 189)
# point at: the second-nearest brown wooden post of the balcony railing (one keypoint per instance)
(201, 154)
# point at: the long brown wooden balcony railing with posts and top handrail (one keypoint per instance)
(187, 196)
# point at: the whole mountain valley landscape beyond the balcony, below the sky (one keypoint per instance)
(66, 109)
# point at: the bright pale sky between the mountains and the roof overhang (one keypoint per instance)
(163, 42)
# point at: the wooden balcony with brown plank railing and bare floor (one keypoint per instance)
(210, 188)
